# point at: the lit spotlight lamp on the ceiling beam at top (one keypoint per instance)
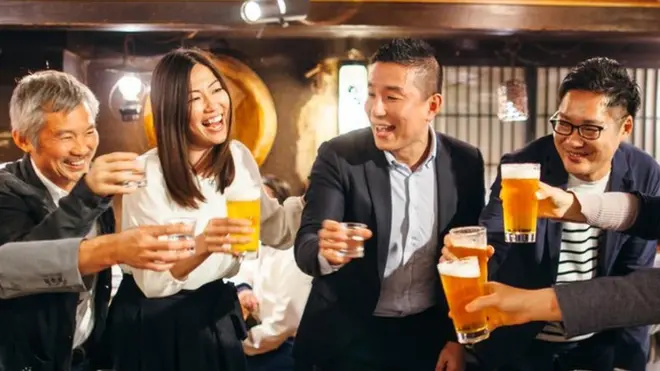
(274, 11)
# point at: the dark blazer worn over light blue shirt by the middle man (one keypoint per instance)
(350, 182)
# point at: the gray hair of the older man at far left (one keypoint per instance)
(47, 92)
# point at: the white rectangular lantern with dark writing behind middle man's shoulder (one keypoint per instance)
(352, 95)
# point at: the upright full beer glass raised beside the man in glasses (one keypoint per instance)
(520, 182)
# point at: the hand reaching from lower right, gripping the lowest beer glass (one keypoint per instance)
(508, 305)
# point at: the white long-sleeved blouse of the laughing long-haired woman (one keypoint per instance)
(152, 205)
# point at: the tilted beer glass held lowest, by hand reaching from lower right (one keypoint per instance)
(462, 283)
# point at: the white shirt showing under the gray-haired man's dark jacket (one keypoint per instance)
(85, 309)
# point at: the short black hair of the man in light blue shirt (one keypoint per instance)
(413, 53)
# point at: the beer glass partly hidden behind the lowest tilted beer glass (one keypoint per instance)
(471, 241)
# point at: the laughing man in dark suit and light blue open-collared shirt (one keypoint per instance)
(386, 310)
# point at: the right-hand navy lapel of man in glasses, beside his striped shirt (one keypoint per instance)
(619, 182)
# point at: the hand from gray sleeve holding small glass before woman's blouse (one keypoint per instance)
(141, 248)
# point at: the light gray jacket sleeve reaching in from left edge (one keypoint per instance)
(26, 270)
